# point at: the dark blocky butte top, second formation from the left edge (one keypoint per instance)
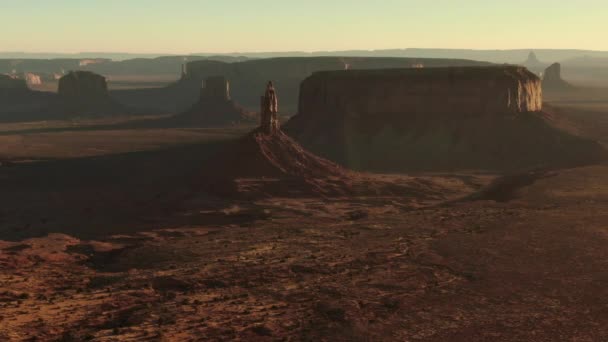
(83, 86)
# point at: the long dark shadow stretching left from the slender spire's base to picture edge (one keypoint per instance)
(94, 197)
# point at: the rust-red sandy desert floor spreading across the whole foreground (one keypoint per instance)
(121, 246)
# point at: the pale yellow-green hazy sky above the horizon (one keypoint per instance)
(190, 26)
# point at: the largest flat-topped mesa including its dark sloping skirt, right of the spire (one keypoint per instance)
(432, 119)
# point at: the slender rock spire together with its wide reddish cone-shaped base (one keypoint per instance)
(268, 162)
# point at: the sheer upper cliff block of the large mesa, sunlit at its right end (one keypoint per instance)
(422, 92)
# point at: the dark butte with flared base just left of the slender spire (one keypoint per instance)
(214, 108)
